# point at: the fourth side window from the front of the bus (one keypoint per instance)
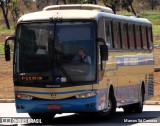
(131, 36)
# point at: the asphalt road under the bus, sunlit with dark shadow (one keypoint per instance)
(150, 116)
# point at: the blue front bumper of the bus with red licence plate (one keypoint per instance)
(57, 106)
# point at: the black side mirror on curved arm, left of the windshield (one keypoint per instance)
(7, 48)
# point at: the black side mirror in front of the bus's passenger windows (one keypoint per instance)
(104, 52)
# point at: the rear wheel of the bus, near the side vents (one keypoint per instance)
(139, 106)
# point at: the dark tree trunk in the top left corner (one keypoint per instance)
(5, 9)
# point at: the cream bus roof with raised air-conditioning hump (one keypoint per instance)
(86, 11)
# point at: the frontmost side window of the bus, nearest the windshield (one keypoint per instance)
(108, 34)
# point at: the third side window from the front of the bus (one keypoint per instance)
(124, 36)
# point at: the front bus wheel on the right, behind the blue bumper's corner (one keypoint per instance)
(111, 106)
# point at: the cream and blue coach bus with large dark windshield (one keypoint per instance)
(116, 69)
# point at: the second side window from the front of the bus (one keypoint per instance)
(116, 34)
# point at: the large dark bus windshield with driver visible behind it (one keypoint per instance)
(61, 52)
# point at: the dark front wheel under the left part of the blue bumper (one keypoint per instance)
(45, 117)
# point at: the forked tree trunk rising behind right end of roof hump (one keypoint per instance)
(113, 4)
